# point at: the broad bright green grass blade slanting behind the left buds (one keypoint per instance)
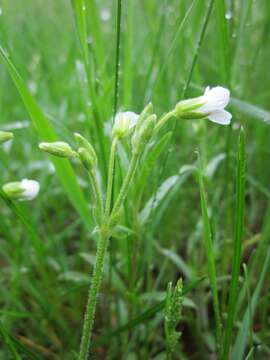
(63, 168)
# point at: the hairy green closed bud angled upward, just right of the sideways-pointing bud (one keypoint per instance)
(86, 152)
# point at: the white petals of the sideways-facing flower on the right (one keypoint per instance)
(214, 101)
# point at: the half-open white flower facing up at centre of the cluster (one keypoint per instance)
(125, 123)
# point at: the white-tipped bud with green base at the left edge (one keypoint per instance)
(21, 190)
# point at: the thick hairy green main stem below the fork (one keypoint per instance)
(92, 296)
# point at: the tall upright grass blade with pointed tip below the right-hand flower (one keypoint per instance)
(237, 246)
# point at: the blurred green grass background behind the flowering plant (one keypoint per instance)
(167, 49)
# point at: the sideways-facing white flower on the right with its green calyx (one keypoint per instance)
(210, 105)
